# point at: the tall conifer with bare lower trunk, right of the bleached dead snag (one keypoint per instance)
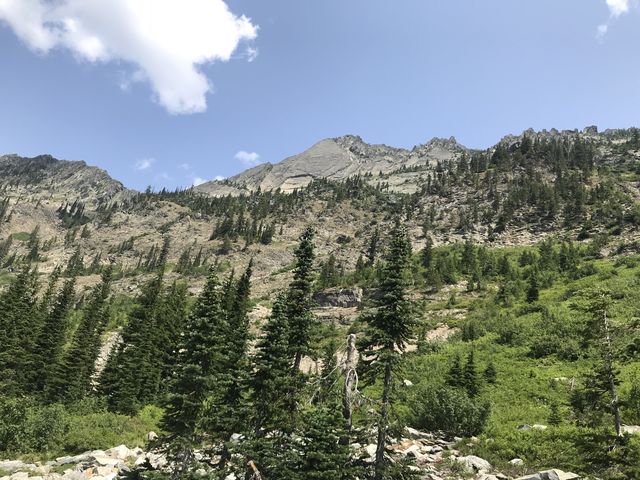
(388, 331)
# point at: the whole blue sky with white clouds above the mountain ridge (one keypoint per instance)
(294, 72)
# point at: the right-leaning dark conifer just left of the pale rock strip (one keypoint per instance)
(72, 377)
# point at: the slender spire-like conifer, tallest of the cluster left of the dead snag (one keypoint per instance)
(301, 320)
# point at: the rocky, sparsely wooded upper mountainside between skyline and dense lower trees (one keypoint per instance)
(506, 195)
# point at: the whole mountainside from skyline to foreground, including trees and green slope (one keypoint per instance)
(298, 319)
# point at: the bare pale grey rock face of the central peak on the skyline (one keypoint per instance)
(334, 159)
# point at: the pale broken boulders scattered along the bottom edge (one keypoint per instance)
(433, 457)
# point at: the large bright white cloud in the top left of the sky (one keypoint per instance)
(165, 41)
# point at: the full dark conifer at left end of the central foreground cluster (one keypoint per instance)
(195, 376)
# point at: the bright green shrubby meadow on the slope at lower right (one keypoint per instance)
(526, 387)
